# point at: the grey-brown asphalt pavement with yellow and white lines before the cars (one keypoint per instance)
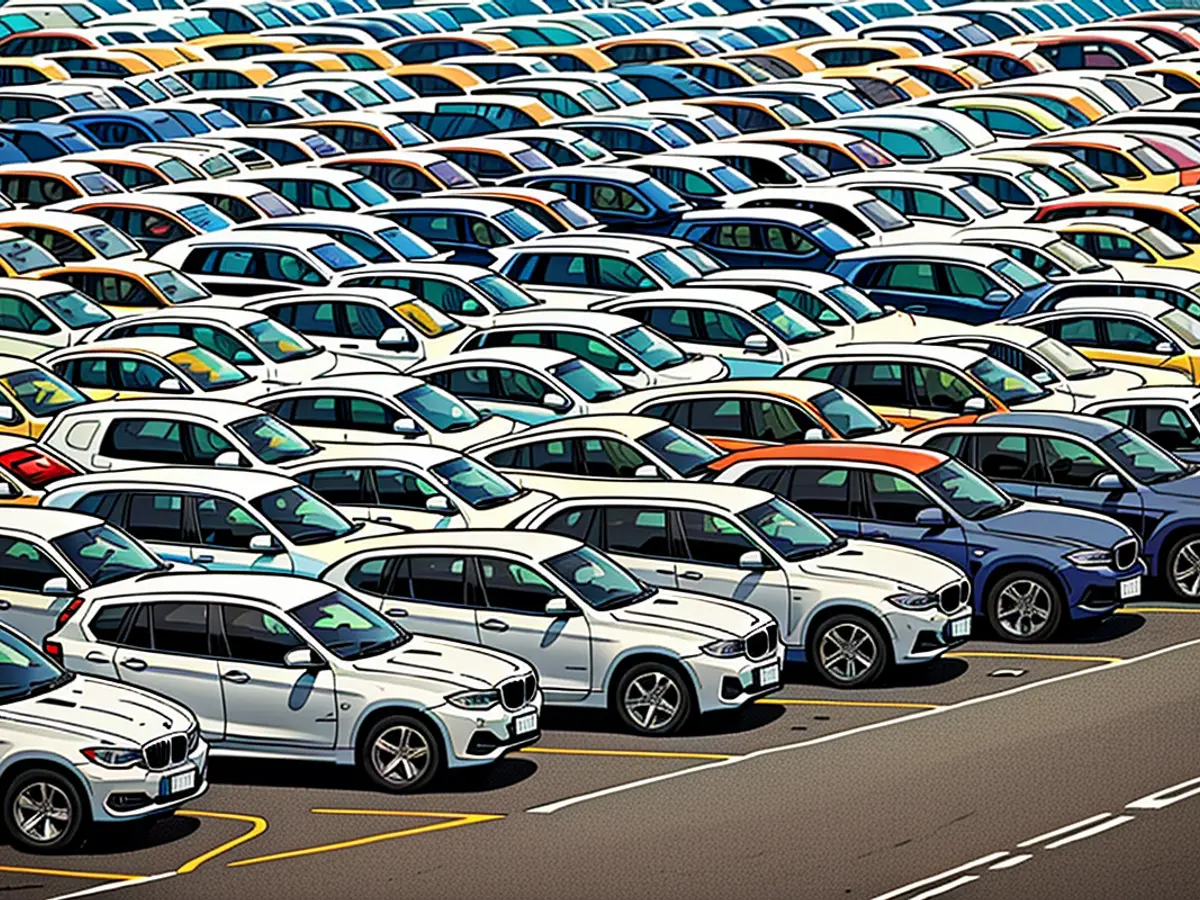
(1067, 771)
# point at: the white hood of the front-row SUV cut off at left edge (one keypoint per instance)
(98, 711)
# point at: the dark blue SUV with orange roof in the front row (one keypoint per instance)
(1033, 567)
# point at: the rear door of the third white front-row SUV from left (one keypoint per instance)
(428, 595)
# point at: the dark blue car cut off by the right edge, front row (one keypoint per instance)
(1094, 465)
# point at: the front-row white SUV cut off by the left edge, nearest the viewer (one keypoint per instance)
(81, 752)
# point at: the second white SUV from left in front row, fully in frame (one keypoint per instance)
(286, 668)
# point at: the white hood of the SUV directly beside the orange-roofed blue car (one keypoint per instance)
(884, 567)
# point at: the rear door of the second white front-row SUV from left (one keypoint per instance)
(166, 649)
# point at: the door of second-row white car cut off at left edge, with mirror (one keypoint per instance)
(27, 569)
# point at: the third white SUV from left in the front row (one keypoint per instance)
(598, 637)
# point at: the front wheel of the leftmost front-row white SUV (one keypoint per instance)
(44, 812)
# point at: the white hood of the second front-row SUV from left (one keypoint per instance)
(443, 667)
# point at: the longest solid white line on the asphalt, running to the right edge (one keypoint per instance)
(862, 730)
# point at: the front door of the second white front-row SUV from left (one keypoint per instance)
(267, 704)
